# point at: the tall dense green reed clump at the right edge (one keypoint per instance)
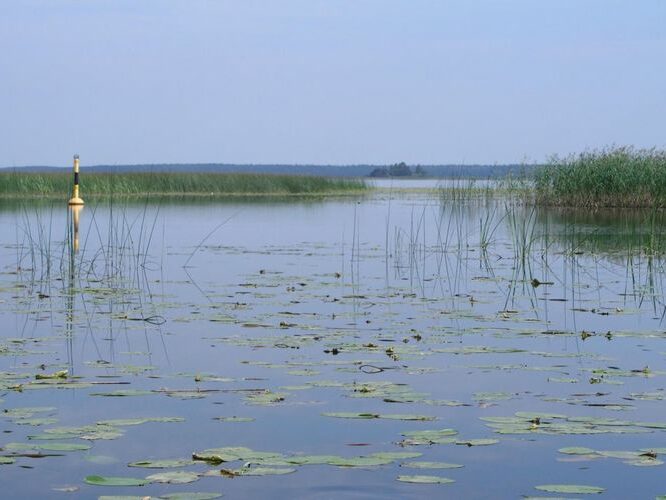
(613, 177)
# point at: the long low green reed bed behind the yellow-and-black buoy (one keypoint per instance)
(16, 183)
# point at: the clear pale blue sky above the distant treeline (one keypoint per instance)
(328, 81)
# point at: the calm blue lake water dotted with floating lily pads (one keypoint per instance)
(342, 347)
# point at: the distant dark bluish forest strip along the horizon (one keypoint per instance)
(396, 170)
